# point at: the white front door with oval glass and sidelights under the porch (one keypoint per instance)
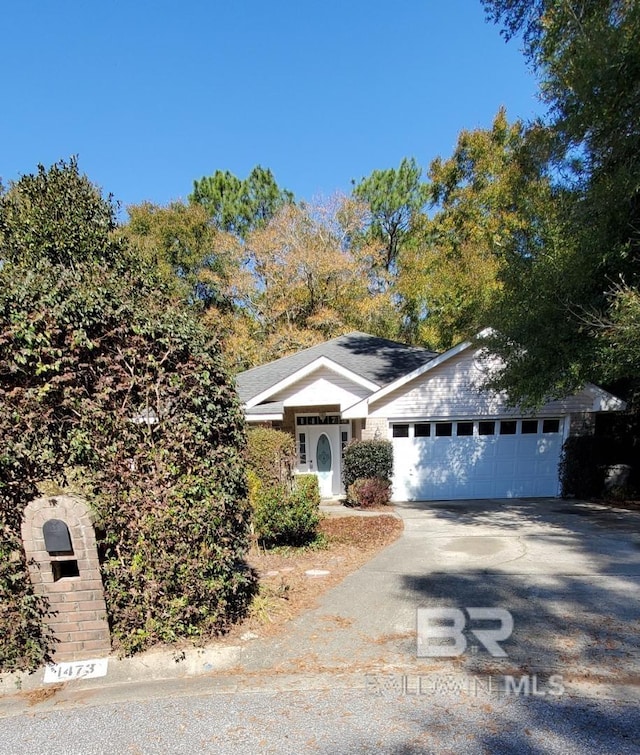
(319, 441)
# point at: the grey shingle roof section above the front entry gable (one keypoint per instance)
(377, 359)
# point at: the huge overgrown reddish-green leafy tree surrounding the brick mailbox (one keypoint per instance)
(109, 385)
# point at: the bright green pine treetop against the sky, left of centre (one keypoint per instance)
(240, 206)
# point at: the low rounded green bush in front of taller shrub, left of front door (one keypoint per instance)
(283, 517)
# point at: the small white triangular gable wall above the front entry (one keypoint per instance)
(322, 387)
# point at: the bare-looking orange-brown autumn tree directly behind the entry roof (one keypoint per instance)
(308, 283)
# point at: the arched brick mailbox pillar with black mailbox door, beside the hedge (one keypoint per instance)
(60, 545)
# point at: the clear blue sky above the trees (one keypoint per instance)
(152, 94)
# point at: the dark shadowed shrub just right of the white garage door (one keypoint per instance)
(582, 471)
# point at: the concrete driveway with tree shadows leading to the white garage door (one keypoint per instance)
(567, 571)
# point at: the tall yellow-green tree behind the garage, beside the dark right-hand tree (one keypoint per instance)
(487, 199)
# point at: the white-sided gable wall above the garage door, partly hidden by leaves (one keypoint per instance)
(453, 390)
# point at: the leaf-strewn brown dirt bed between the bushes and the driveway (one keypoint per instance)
(285, 588)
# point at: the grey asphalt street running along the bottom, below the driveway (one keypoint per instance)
(339, 718)
